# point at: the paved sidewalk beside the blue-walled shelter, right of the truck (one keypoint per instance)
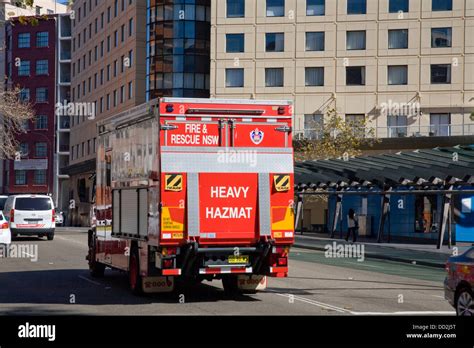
(420, 254)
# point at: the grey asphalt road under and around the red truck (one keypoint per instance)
(58, 283)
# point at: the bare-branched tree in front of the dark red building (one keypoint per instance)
(14, 113)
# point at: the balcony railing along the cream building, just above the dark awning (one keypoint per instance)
(440, 130)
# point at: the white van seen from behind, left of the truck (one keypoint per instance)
(31, 215)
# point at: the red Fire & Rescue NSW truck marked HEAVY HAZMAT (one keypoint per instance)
(195, 189)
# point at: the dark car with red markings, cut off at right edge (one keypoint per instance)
(459, 283)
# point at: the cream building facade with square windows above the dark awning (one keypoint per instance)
(407, 65)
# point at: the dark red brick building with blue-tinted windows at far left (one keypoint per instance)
(30, 65)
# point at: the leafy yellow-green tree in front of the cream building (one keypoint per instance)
(335, 138)
